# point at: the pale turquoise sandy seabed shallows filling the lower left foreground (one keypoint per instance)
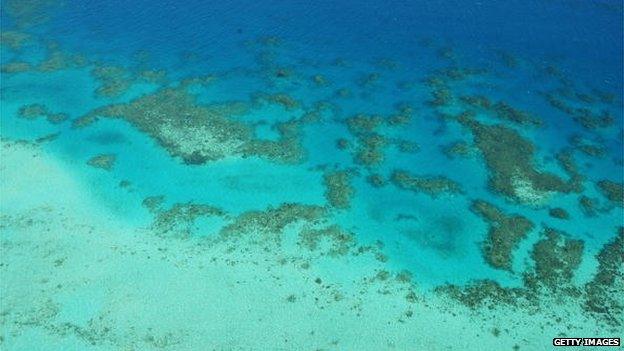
(76, 277)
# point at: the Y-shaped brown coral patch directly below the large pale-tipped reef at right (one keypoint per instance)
(504, 234)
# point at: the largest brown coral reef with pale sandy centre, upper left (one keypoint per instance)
(201, 133)
